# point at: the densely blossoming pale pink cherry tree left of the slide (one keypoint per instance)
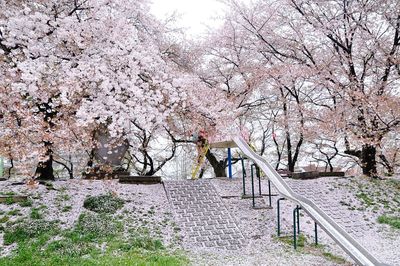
(74, 68)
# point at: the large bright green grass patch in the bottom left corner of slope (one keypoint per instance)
(96, 239)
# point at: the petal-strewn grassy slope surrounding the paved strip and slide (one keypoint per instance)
(83, 222)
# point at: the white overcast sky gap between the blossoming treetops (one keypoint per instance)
(194, 14)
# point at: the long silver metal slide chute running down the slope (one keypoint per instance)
(340, 236)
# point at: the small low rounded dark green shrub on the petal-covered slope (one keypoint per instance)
(103, 203)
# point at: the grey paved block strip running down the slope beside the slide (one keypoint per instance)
(202, 215)
